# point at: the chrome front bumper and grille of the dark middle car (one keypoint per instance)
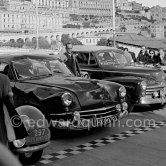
(90, 119)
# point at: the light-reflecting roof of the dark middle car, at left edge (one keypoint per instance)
(12, 54)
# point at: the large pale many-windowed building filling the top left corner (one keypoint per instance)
(23, 16)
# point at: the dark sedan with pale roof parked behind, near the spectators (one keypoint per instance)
(144, 85)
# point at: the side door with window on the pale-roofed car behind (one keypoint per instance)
(87, 62)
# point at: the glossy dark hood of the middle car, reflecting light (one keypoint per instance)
(88, 92)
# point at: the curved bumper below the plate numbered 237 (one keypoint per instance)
(30, 149)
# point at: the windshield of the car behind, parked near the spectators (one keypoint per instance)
(111, 58)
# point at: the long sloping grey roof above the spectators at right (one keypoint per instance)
(139, 40)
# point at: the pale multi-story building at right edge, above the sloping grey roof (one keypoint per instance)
(158, 29)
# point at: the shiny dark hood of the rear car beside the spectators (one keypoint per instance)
(139, 71)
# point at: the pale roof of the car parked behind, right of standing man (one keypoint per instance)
(91, 48)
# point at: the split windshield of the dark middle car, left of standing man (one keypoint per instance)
(31, 68)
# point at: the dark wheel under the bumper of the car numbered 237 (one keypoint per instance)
(30, 158)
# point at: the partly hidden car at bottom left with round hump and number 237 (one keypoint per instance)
(30, 149)
